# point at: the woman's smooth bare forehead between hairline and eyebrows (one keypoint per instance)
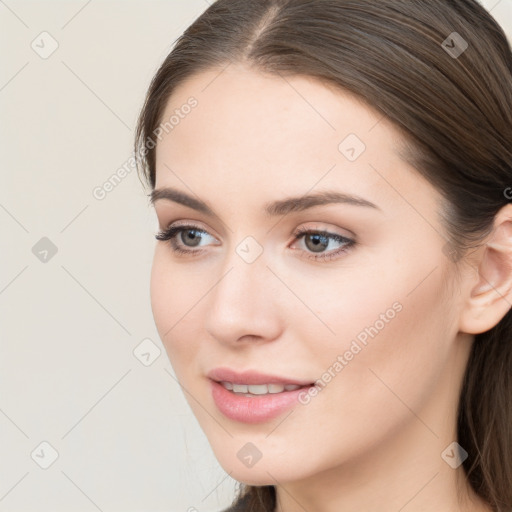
(249, 129)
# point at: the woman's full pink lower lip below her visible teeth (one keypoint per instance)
(257, 409)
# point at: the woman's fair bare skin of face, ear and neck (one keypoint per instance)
(372, 439)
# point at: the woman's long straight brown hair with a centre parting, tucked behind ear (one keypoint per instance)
(454, 108)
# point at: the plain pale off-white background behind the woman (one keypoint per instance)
(125, 437)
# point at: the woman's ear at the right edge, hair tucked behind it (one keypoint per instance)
(490, 292)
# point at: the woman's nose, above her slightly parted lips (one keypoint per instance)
(244, 304)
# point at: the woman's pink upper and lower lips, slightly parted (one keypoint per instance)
(252, 409)
